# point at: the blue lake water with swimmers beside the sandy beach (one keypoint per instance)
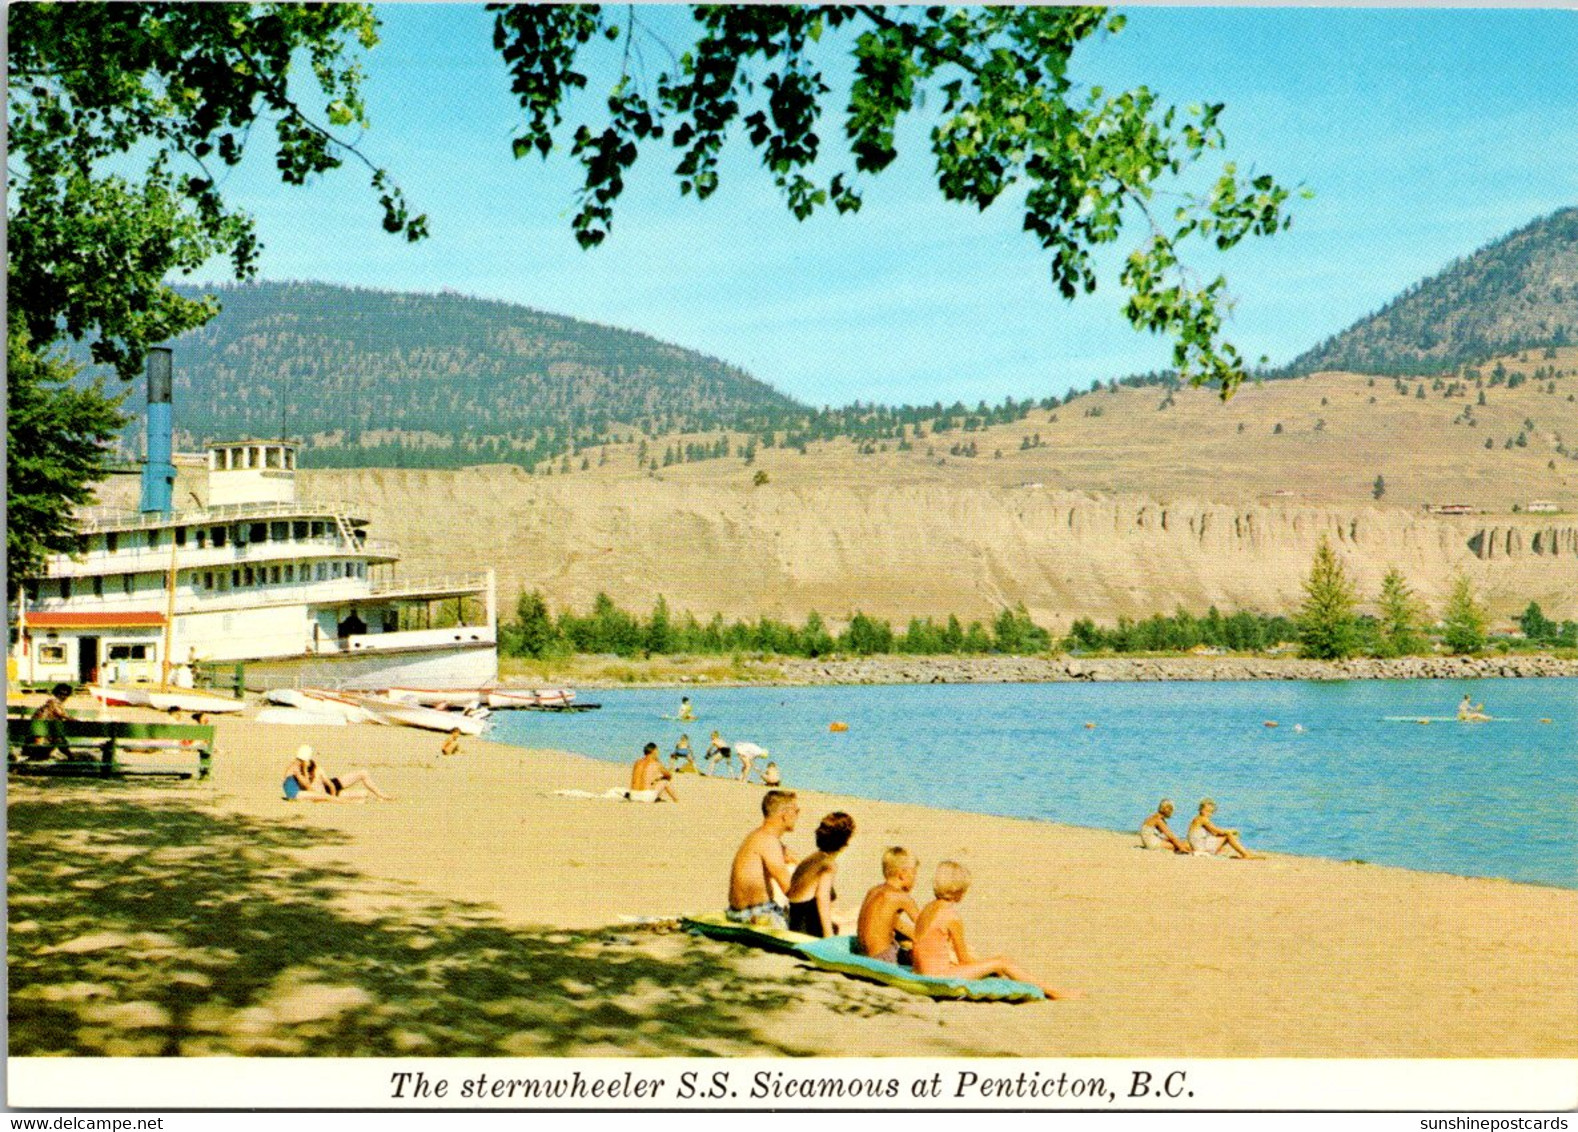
(1475, 800)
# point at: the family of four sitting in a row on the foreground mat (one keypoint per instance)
(771, 888)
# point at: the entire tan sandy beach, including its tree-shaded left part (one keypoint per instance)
(481, 915)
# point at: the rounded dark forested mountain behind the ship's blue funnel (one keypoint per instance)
(468, 380)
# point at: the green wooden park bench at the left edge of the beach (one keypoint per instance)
(95, 749)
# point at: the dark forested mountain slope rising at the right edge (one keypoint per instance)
(1519, 293)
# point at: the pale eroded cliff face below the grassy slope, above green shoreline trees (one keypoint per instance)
(925, 549)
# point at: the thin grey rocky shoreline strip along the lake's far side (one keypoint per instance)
(1041, 670)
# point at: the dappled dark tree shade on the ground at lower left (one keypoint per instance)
(141, 926)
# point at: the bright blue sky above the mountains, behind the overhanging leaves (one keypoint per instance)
(1424, 135)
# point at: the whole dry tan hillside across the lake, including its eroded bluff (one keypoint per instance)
(1124, 509)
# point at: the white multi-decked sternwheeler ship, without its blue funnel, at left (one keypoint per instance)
(294, 590)
